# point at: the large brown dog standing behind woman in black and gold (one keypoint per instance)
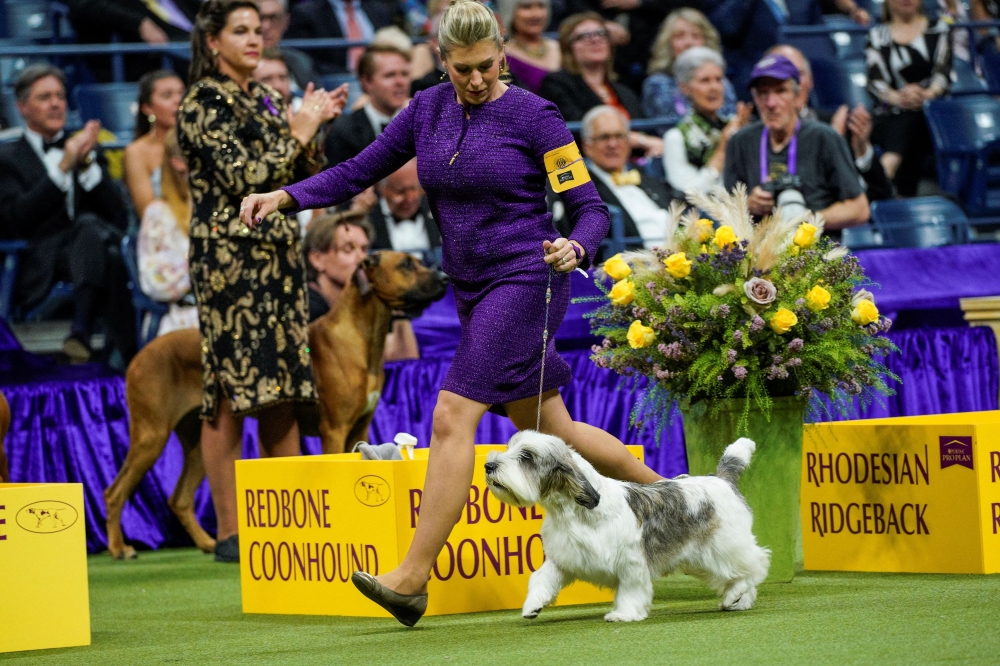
(163, 384)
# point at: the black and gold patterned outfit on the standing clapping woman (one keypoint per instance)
(249, 285)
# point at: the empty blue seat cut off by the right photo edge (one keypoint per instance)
(966, 133)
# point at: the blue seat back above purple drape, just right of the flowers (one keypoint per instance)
(919, 222)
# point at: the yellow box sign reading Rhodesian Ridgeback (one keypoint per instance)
(914, 494)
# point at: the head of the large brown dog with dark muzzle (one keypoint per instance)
(401, 281)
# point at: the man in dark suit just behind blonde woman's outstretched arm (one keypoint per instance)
(384, 74)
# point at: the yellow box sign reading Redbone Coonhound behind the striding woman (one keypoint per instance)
(308, 523)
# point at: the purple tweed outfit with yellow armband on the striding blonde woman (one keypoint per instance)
(485, 180)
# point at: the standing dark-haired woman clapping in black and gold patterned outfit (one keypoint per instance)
(249, 285)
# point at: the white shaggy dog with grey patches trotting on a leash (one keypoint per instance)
(623, 535)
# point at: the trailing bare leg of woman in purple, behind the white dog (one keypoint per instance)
(608, 455)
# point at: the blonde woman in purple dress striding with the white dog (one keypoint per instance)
(484, 151)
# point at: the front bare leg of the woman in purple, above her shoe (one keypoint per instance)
(446, 490)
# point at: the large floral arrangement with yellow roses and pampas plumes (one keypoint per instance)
(742, 311)
